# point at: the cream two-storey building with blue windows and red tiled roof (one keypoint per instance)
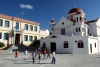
(15, 30)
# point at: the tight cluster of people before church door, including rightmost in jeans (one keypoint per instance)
(45, 53)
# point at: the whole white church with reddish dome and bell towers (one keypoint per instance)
(73, 35)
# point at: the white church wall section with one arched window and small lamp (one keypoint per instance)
(77, 50)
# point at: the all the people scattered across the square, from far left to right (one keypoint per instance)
(45, 53)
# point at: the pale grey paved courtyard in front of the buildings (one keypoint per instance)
(63, 60)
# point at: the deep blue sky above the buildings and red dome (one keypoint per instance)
(43, 11)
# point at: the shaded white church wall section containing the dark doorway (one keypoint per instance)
(59, 43)
